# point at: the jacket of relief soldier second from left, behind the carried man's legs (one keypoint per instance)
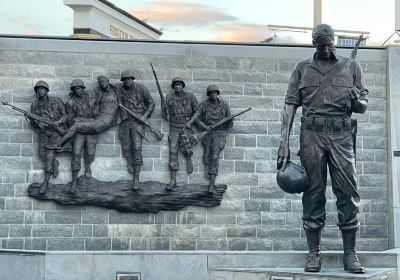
(79, 107)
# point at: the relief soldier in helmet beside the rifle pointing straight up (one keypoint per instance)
(180, 107)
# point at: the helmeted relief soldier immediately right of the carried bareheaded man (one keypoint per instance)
(136, 97)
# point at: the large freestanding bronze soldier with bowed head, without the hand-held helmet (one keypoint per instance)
(329, 88)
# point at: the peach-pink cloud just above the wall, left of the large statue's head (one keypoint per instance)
(241, 32)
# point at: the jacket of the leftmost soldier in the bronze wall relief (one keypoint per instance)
(51, 108)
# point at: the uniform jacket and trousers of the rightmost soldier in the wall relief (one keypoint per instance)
(214, 142)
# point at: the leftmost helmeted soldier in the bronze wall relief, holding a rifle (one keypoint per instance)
(52, 108)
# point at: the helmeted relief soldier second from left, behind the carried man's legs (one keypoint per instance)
(79, 107)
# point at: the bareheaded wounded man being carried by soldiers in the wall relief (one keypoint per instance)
(105, 112)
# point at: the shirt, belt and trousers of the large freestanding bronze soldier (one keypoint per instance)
(326, 137)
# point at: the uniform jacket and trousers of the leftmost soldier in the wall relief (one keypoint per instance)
(51, 108)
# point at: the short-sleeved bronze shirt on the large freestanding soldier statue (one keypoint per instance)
(332, 100)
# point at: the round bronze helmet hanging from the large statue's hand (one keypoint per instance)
(293, 179)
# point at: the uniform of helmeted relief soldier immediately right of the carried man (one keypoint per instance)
(137, 99)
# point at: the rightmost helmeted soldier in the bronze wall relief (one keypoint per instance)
(211, 111)
